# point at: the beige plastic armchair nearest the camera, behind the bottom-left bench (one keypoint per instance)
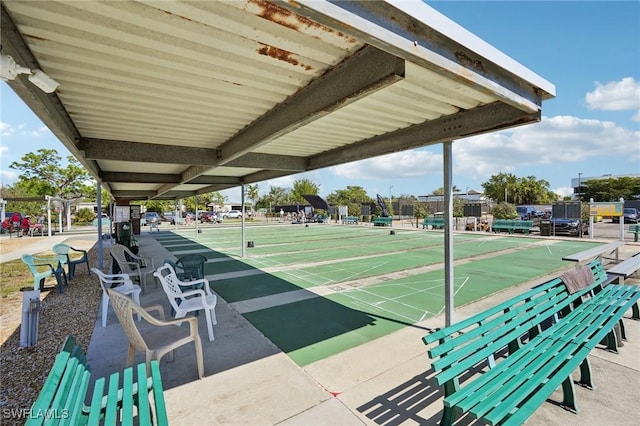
(156, 341)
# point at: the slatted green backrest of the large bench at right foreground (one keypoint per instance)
(458, 348)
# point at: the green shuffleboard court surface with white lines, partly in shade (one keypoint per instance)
(358, 283)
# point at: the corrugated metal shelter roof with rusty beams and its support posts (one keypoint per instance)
(169, 99)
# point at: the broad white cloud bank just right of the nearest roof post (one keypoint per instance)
(555, 140)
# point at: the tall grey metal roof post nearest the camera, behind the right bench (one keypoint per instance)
(448, 234)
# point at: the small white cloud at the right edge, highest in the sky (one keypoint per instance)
(623, 95)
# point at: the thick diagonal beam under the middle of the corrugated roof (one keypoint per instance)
(365, 72)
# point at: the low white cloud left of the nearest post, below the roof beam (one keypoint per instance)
(406, 164)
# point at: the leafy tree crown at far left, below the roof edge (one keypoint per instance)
(41, 173)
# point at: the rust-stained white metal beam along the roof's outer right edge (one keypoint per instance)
(432, 45)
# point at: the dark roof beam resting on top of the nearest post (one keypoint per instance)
(476, 121)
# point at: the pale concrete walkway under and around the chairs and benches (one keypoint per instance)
(388, 381)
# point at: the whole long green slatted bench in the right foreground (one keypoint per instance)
(500, 365)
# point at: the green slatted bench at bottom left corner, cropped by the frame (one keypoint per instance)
(62, 398)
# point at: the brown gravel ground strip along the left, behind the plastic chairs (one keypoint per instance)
(24, 371)
